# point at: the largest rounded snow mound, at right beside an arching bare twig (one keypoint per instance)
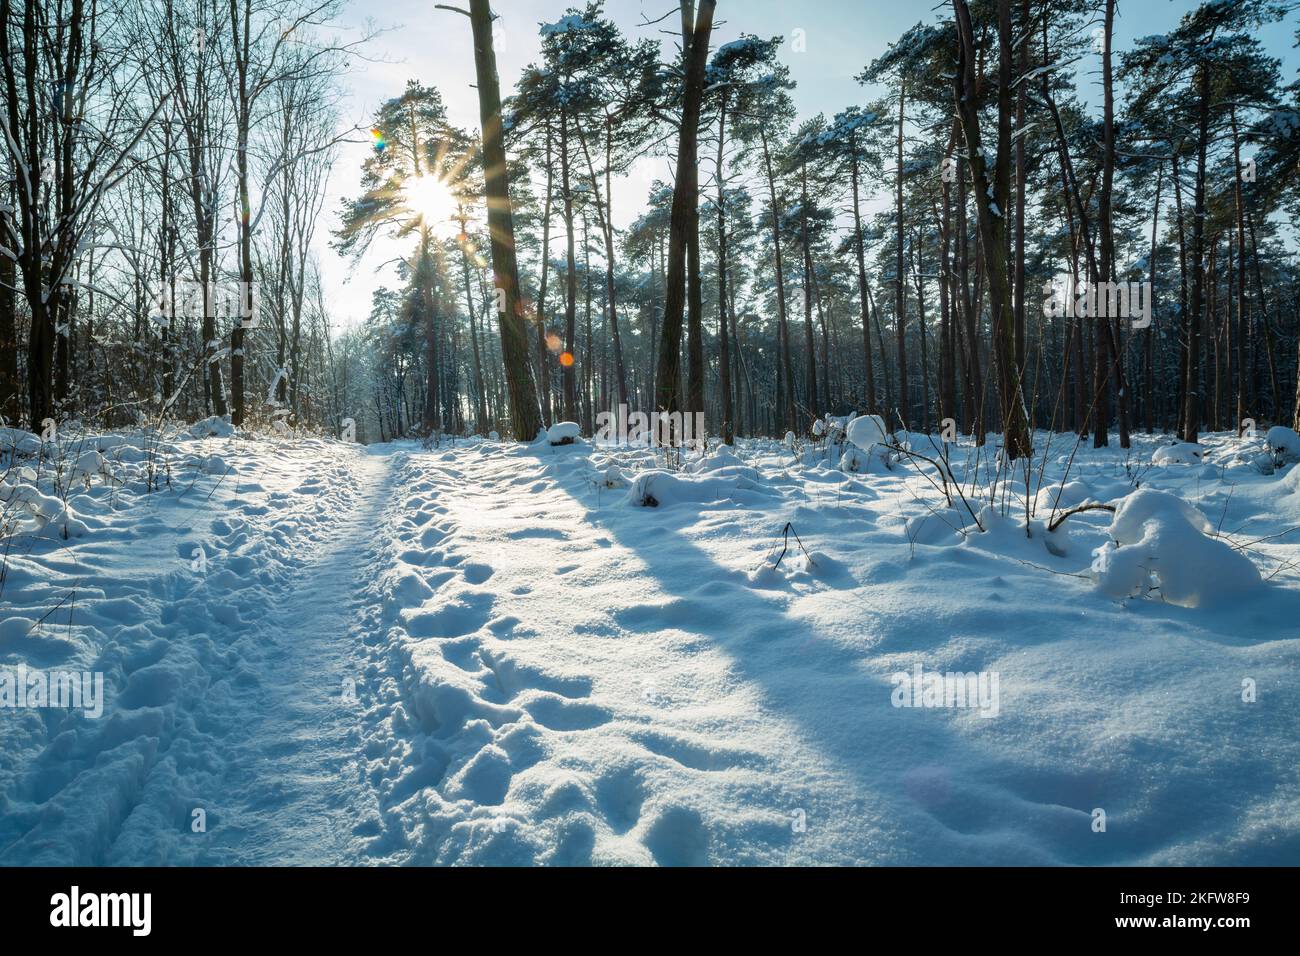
(1162, 546)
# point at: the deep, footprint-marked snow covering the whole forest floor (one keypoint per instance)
(551, 669)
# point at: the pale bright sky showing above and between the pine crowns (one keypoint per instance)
(842, 37)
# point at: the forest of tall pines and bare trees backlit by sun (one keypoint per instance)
(925, 254)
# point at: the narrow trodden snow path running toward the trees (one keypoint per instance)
(294, 784)
